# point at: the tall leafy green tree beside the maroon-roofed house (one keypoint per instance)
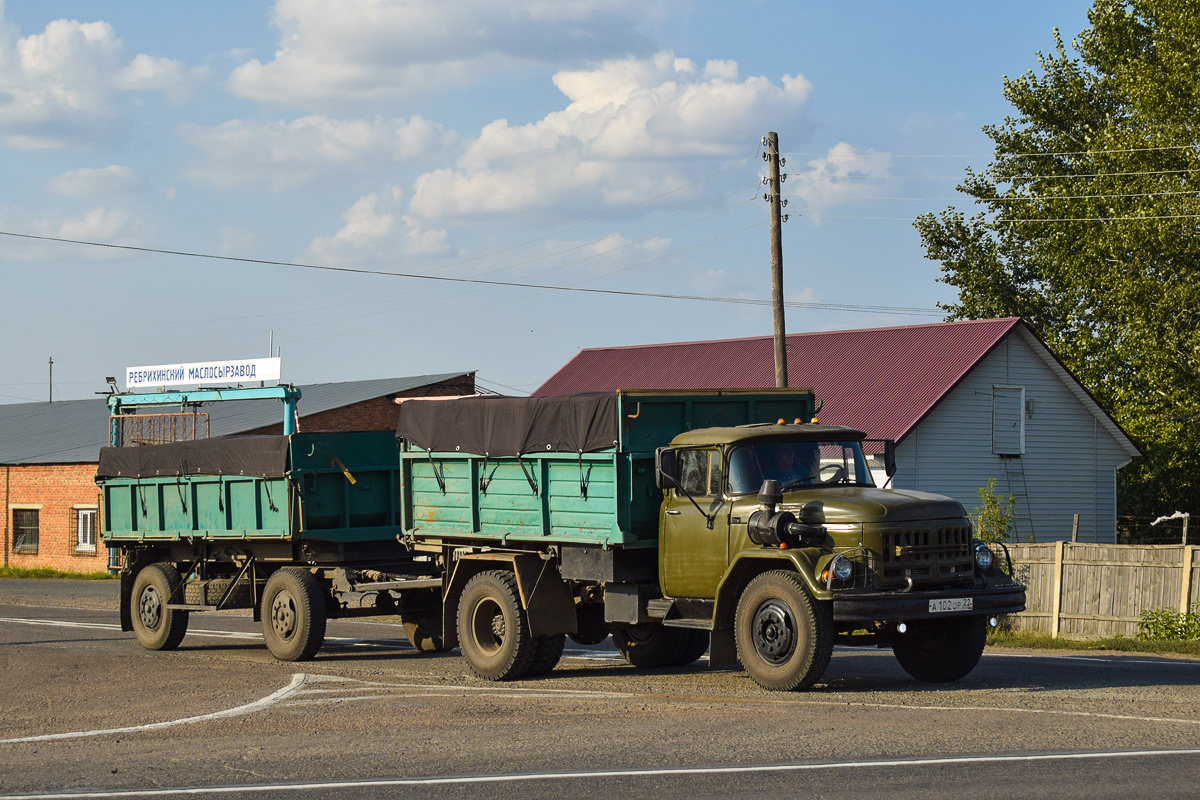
(1090, 230)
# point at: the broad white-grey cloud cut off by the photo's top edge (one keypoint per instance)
(356, 52)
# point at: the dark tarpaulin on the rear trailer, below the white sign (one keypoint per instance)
(257, 456)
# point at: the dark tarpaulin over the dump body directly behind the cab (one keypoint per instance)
(511, 426)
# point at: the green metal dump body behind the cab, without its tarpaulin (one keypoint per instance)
(608, 498)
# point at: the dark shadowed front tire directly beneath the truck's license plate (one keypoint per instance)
(941, 651)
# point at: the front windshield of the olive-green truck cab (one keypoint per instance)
(797, 465)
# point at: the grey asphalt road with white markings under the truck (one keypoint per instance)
(86, 712)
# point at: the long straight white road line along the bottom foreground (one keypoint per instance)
(665, 772)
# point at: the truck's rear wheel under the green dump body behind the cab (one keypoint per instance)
(494, 631)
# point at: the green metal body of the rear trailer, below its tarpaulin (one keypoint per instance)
(335, 488)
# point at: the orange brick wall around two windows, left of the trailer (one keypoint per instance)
(56, 492)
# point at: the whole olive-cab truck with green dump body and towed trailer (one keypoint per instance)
(677, 522)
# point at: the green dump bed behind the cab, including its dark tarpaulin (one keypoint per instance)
(573, 470)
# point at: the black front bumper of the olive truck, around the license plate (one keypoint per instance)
(902, 606)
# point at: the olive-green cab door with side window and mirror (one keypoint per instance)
(694, 557)
